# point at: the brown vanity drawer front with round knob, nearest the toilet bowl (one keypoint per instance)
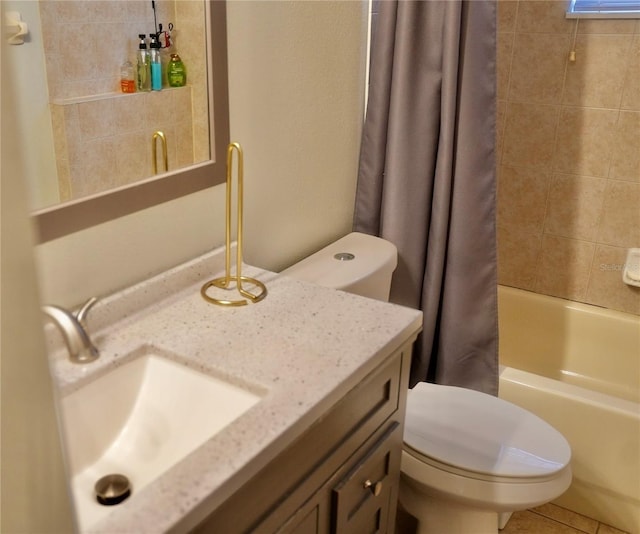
(361, 500)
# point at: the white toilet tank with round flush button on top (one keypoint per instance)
(357, 263)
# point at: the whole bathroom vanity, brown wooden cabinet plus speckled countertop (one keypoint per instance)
(320, 451)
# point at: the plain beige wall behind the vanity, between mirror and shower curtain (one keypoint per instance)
(296, 84)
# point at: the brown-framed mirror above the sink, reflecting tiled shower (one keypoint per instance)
(103, 139)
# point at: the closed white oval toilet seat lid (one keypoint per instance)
(481, 433)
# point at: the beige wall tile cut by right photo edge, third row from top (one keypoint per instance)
(625, 159)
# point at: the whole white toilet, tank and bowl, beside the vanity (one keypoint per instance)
(469, 459)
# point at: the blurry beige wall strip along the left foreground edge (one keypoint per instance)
(33, 485)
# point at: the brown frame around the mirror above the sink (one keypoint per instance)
(57, 221)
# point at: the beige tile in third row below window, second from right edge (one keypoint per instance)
(584, 141)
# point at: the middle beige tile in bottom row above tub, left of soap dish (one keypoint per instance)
(564, 267)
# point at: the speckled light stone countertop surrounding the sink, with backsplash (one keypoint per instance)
(302, 349)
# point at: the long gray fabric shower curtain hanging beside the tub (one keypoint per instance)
(427, 179)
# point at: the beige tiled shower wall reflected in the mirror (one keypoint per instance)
(103, 138)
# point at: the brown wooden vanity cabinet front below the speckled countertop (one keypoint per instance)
(340, 476)
